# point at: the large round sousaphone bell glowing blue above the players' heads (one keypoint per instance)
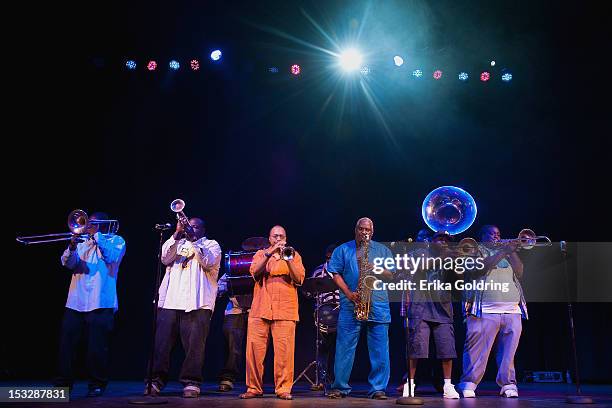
(450, 209)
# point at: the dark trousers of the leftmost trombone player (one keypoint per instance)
(98, 324)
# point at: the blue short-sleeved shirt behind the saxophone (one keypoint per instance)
(344, 263)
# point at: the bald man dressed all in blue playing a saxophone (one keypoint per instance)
(360, 306)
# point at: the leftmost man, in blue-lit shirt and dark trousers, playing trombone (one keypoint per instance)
(92, 300)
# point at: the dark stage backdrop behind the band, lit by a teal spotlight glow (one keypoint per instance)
(246, 149)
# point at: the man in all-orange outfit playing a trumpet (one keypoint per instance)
(277, 270)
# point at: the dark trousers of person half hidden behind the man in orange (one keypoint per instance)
(234, 331)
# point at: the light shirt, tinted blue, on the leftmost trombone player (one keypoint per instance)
(95, 264)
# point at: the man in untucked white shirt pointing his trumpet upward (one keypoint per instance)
(187, 297)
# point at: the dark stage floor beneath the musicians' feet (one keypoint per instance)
(119, 393)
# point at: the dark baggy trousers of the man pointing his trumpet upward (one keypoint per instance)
(193, 329)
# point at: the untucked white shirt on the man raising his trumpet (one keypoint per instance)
(194, 285)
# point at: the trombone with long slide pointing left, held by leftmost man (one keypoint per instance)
(79, 225)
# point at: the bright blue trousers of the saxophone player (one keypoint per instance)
(378, 348)
